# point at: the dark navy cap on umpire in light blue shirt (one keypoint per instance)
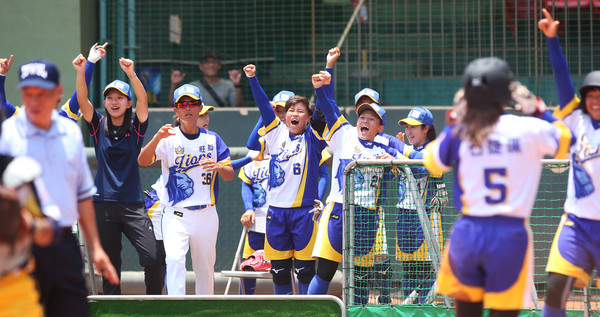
(39, 73)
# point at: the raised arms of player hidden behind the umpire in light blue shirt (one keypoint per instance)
(71, 108)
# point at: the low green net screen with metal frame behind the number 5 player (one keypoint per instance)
(384, 252)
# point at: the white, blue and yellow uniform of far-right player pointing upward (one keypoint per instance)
(575, 251)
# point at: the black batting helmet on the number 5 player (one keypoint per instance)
(486, 82)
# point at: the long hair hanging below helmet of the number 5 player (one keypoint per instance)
(478, 122)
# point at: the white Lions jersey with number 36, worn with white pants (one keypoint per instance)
(186, 183)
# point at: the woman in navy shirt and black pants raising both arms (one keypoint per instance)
(119, 202)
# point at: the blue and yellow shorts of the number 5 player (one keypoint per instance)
(489, 260)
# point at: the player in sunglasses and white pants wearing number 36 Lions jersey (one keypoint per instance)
(190, 159)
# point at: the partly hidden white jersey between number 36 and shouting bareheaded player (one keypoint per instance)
(256, 174)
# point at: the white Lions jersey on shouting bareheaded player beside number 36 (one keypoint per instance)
(294, 166)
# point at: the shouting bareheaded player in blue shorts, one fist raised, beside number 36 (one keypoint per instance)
(292, 188)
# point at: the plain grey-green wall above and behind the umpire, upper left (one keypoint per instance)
(57, 30)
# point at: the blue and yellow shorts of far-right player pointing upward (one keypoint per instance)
(576, 249)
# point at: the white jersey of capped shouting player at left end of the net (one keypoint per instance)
(347, 147)
